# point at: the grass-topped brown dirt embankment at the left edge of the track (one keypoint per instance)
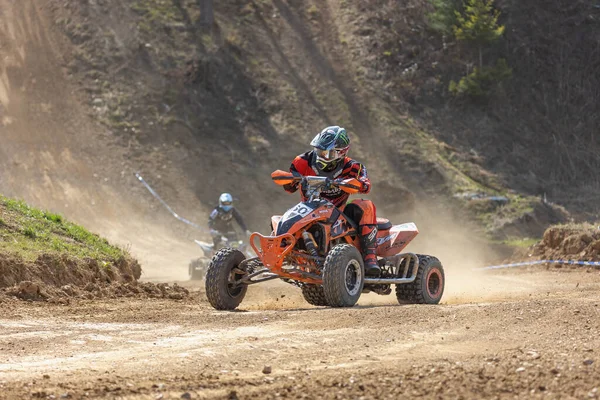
(46, 257)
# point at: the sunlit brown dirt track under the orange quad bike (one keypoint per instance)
(541, 342)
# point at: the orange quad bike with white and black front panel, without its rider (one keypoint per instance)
(316, 247)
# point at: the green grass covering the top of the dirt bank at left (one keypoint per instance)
(29, 232)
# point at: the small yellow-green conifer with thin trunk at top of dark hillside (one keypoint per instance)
(478, 24)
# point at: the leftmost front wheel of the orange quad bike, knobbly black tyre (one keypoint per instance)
(223, 270)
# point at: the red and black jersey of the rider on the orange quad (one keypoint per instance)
(305, 165)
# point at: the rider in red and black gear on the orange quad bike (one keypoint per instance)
(328, 159)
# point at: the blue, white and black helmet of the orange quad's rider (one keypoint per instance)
(331, 147)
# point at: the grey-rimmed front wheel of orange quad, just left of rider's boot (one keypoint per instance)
(343, 276)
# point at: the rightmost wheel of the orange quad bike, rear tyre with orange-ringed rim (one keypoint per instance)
(428, 287)
